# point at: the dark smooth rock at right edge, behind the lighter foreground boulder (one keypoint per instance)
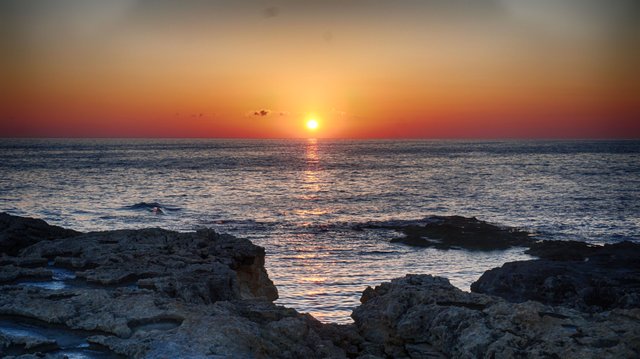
(589, 278)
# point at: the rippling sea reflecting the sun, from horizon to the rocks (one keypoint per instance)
(302, 199)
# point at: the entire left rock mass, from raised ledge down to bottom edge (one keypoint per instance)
(154, 293)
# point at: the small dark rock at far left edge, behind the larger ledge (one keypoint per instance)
(17, 233)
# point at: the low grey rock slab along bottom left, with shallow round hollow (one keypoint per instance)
(140, 324)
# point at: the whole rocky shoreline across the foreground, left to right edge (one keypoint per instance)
(155, 293)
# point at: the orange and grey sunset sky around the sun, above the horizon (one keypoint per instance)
(364, 69)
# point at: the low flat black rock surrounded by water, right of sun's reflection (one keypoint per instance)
(448, 232)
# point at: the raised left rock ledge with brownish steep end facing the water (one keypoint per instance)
(201, 267)
